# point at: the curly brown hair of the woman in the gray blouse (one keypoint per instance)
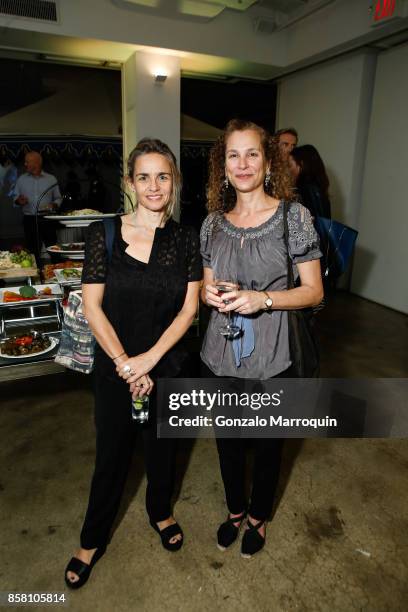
(221, 198)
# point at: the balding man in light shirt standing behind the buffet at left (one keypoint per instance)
(28, 190)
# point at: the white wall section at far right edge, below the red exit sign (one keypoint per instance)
(380, 268)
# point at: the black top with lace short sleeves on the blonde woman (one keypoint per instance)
(142, 299)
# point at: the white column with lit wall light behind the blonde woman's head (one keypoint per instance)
(151, 109)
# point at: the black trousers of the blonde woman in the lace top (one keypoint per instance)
(115, 439)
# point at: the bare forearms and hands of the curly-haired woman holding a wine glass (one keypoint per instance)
(310, 293)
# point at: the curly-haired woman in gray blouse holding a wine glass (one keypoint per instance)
(242, 241)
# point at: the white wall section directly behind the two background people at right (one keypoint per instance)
(330, 106)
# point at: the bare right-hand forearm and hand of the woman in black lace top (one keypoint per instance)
(143, 363)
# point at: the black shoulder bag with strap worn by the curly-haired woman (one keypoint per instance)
(303, 346)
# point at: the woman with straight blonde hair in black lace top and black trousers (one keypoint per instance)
(139, 304)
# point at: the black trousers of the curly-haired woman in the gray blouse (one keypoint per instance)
(265, 474)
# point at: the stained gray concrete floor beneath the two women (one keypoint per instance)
(338, 540)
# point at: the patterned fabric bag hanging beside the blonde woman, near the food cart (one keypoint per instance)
(77, 344)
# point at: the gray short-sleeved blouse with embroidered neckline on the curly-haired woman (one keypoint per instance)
(255, 257)
